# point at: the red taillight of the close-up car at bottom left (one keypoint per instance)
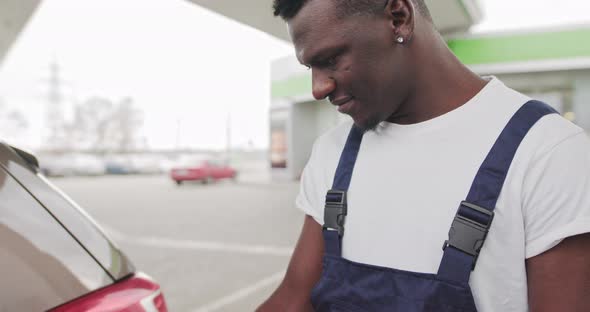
(137, 293)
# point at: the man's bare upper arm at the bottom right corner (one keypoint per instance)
(559, 279)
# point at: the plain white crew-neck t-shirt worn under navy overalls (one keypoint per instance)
(408, 182)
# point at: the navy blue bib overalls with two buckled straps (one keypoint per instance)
(346, 286)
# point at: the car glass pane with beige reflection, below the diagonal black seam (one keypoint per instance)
(41, 264)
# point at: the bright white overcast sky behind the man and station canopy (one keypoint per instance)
(181, 64)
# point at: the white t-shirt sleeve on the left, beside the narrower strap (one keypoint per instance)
(309, 198)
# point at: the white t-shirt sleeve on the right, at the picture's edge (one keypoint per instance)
(556, 194)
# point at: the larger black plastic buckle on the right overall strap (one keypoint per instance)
(467, 234)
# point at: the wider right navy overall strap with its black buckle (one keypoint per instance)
(474, 216)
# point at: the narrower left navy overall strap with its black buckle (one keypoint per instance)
(336, 203)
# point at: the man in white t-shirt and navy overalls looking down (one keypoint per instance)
(427, 124)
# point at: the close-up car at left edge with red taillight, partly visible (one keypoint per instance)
(55, 257)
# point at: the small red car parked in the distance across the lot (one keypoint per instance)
(205, 171)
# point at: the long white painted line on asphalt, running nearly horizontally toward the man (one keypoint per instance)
(199, 245)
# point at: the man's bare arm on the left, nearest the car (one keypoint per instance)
(303, 272)
